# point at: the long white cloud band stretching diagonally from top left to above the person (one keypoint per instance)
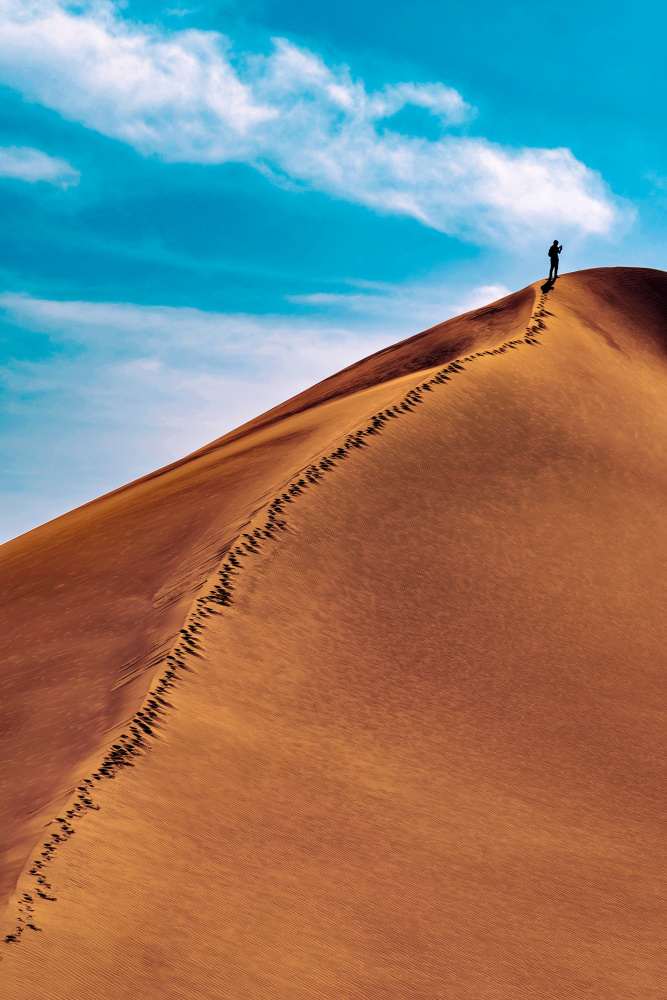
(186, 95)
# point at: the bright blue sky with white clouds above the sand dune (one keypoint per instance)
(205, 209)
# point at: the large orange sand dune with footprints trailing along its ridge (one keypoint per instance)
(410, 739)
